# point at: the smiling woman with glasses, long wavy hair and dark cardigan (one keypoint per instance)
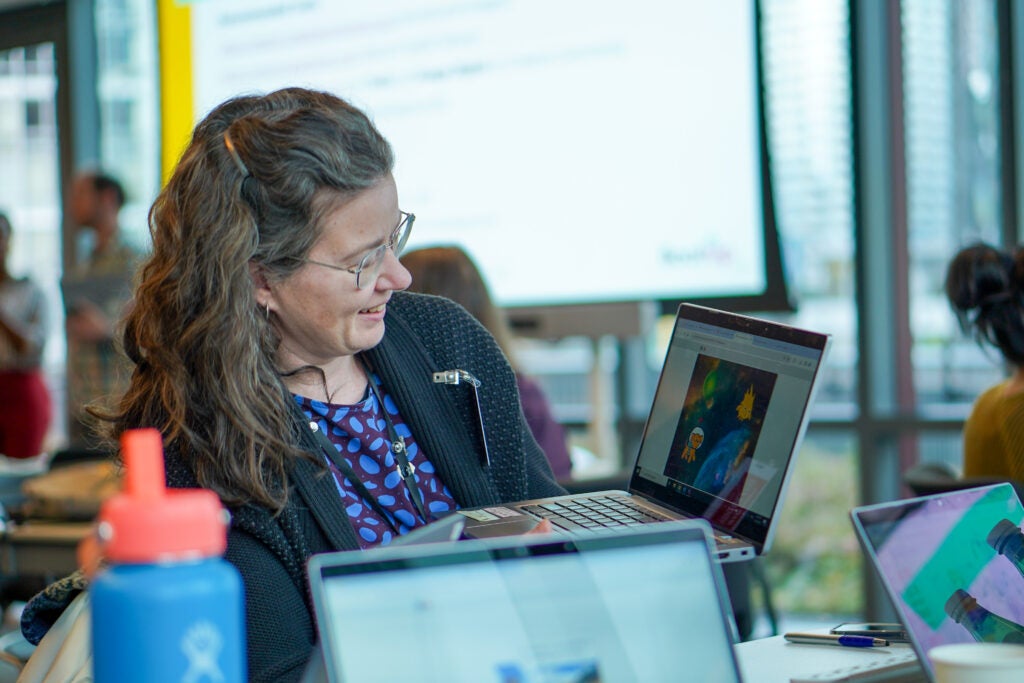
(271, 316)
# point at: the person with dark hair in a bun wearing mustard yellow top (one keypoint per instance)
(986, 288)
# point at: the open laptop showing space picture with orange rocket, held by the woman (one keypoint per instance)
(728, 419)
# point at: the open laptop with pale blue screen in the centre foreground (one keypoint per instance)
(544, 609)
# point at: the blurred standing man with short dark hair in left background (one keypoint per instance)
(97, 293)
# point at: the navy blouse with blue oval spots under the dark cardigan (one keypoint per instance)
(360, 434)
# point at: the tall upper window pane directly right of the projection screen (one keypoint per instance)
(805, 51)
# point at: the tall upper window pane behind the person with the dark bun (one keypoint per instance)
(952, 107)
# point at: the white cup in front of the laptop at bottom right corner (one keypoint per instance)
(978, 663)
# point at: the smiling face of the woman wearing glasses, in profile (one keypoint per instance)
(319, 312)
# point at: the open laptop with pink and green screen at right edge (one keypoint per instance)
(936, 557)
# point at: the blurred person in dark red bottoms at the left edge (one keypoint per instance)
(27, 407)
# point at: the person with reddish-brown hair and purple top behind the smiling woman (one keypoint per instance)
(451, 273)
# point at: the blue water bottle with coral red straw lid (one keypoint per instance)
(168, 608)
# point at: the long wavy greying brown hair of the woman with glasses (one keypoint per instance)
(249, 192)
